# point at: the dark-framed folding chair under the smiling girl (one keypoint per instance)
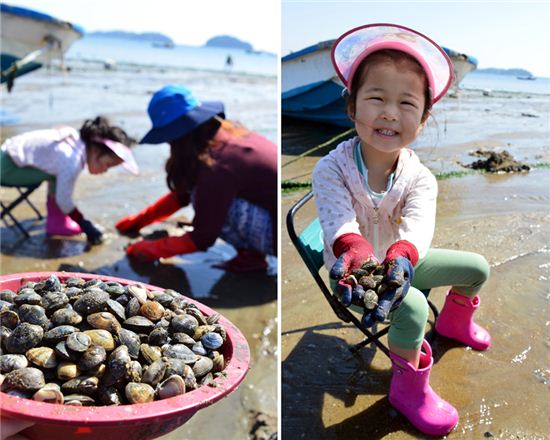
(310, 247)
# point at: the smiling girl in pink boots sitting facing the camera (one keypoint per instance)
(377, 202)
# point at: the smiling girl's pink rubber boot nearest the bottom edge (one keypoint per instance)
(412, 395)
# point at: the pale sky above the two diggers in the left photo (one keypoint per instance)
(187, 22)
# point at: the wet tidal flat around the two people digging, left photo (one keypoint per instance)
(249, 301)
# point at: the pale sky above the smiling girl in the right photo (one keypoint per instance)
(499, 34)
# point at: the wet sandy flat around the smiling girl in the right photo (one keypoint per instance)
(503, 392)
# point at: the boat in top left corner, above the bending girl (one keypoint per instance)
(26, 36)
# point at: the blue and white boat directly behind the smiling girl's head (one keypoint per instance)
(311, 90)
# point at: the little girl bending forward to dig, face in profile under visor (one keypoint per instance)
(59, 155)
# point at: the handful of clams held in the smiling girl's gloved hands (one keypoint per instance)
(370, 277)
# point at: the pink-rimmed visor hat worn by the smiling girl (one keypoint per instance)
(355, 45)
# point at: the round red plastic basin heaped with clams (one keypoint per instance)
(96, 357)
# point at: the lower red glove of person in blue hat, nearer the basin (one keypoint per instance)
(150, 250)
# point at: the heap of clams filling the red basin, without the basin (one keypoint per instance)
(103, 343)
